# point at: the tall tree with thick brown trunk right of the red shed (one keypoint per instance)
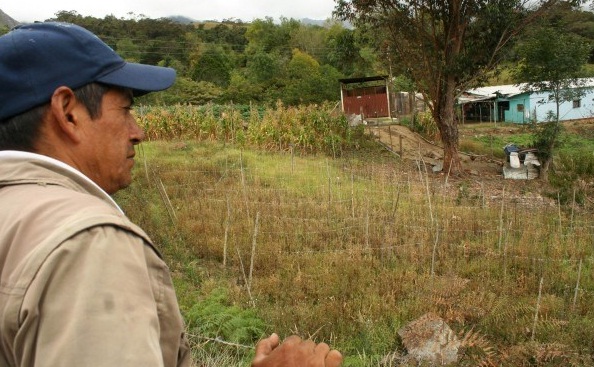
(446, 46)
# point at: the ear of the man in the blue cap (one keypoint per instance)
(66, 110)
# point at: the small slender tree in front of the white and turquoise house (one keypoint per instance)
(551, 61)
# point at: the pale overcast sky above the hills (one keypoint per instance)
(246, 10)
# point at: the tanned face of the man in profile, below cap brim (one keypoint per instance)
(109, 142)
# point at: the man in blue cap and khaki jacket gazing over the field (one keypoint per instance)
(81, 285)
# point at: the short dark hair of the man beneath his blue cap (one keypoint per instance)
(20, 132)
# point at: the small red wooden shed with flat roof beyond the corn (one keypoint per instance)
(367, 96)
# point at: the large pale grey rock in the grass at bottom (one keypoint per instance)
(430, 340)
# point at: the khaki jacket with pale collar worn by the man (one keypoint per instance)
(80, 285)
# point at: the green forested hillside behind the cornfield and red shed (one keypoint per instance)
(263, 62)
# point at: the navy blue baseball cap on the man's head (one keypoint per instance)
(37, 58)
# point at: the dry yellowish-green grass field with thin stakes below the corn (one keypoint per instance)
(349, 250)
